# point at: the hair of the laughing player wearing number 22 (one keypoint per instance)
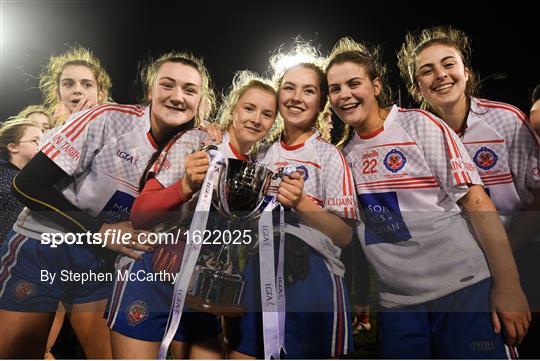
(369, 58)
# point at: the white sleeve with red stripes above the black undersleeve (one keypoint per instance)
(74, 146)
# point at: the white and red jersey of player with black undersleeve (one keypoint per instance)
(105, 151)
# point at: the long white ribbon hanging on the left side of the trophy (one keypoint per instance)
(191, 253)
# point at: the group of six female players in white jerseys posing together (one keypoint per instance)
(438, 197)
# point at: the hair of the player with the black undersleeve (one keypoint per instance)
(208, 99)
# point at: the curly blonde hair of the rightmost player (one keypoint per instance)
(416, 42)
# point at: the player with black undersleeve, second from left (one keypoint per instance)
(104, 150)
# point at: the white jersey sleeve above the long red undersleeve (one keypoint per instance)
(170, 166)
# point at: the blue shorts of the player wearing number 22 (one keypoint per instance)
(441, 328)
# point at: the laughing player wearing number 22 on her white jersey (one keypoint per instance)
(412, 175)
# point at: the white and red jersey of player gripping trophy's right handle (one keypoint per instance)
(327, 182)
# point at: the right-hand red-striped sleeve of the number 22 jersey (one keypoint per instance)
(444, 153)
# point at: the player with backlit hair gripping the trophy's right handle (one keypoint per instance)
(319, 193)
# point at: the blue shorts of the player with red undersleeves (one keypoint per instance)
(139, 309)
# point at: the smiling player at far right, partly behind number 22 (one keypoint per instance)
(436, 65)
